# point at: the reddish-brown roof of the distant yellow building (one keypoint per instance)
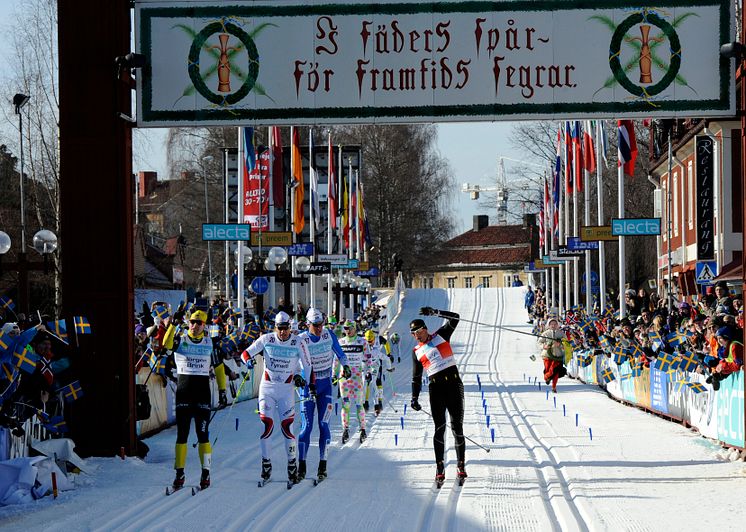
(495, 245)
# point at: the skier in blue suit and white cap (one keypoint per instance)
(323, 347)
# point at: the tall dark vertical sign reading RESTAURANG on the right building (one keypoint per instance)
(705, 207)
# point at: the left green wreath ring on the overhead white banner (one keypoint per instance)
(194, 74)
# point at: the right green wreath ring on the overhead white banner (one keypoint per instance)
(616, 45)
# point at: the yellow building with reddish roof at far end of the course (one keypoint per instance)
(486, 256)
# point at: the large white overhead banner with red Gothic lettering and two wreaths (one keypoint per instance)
(256, 63)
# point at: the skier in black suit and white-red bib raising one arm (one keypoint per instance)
(433, 353)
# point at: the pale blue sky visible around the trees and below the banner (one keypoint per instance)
(472, 149)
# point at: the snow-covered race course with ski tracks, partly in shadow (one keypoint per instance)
(543, 471)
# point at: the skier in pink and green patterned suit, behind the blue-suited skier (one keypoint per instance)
(351, 388)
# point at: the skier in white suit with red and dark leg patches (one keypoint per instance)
(283, 351)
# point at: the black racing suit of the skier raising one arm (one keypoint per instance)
(446, 394)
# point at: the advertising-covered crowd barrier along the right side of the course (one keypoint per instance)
(718, 415)
